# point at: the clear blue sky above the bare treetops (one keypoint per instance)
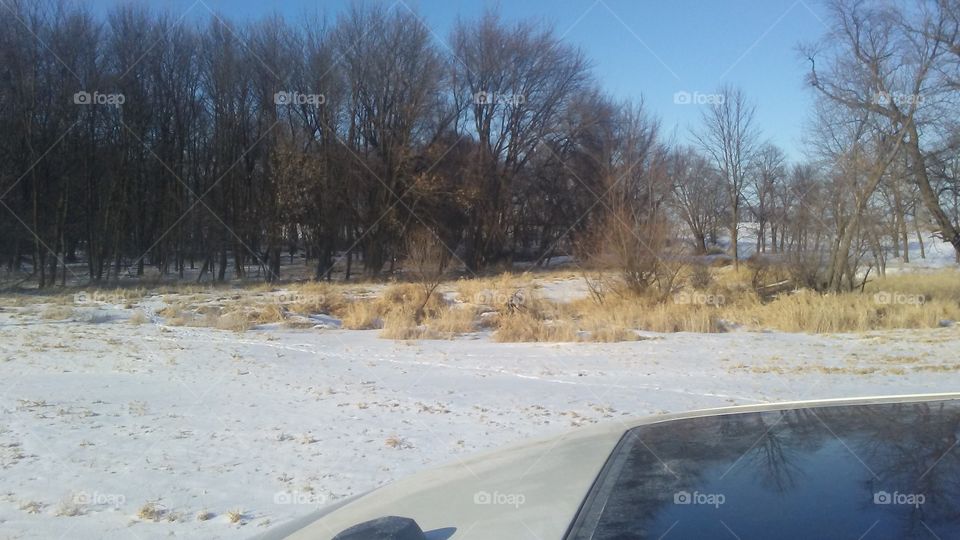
(648, 48)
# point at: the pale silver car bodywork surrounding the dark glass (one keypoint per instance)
(529, 490)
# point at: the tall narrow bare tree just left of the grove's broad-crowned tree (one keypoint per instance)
(393, 72)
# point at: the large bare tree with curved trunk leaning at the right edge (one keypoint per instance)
(882, 61)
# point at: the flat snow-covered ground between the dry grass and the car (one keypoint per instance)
(100, 419)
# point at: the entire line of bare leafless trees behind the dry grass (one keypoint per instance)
(140, 139)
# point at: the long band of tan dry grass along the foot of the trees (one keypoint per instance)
(706, 300)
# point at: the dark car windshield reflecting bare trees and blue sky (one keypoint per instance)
(875, 471)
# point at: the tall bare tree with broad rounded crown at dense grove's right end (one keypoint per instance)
(512, 84)
